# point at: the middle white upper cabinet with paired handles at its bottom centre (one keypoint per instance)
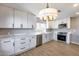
(20, 19)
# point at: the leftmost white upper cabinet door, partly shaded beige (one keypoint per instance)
(6, 17)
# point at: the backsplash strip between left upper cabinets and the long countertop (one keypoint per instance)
(15, 31)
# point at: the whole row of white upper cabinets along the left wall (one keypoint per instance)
(13, 18)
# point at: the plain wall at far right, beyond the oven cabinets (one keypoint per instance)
(75, 28)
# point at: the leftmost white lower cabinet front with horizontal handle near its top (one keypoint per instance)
(7, 47)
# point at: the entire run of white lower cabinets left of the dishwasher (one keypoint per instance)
(16, 45)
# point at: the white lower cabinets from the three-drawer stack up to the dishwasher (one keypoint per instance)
(24, 43)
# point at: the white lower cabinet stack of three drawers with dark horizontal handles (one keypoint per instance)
(21, 44)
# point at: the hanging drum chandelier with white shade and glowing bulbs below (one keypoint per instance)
(48, 14)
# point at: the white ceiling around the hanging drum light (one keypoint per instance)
(67, 9)
